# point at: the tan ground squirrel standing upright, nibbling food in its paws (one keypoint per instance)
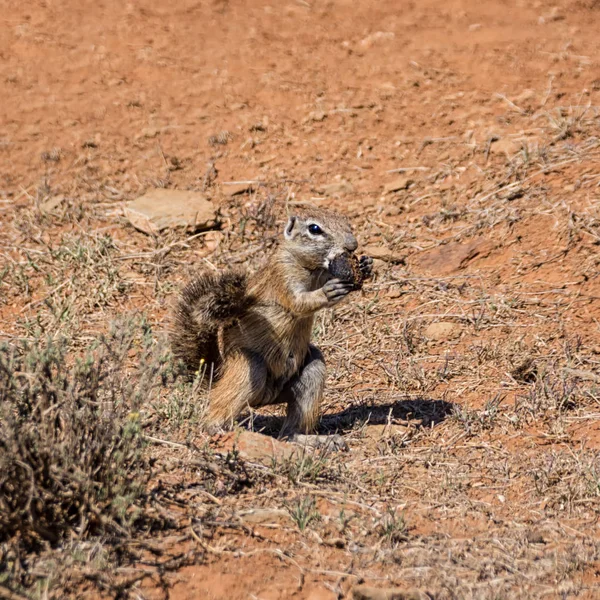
(257, 329)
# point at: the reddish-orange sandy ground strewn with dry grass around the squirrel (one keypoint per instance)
(460, 138)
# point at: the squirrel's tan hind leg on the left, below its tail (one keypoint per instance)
(241, 385)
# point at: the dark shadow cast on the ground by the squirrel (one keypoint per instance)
(422, 412)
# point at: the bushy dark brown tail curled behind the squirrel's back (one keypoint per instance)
(209, 301)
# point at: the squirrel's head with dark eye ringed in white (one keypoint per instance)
(314, 236)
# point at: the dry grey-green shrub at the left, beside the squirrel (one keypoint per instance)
(71, 446)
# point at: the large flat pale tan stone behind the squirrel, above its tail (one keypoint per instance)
(161, 209)
